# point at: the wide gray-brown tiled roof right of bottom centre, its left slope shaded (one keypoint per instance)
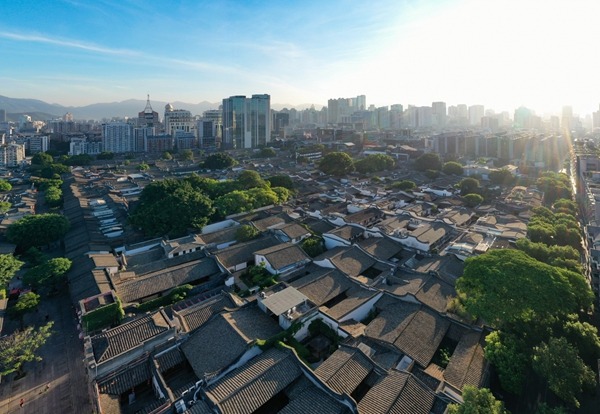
(415, 330)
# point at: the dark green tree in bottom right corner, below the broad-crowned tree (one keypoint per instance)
(567, 375)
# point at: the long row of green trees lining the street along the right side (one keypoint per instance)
(537, 298)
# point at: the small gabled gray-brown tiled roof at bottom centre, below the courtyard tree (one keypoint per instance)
(345, 369)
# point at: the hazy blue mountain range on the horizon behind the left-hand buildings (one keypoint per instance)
(43, 111)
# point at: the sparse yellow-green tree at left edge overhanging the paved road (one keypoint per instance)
(21, 347)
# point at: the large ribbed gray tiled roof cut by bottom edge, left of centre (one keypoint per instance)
(248, 387)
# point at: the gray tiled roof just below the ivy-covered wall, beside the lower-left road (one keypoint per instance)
(127, 336)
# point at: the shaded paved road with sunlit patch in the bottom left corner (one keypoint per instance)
(61, 367)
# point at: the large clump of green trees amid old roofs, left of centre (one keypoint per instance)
(172, 207)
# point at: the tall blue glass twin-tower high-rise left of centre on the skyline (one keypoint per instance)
(246, 121)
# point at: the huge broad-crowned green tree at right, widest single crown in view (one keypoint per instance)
(507, 286)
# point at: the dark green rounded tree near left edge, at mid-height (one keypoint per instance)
(37, 230)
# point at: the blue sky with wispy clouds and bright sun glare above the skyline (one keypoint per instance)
(542, 54)
